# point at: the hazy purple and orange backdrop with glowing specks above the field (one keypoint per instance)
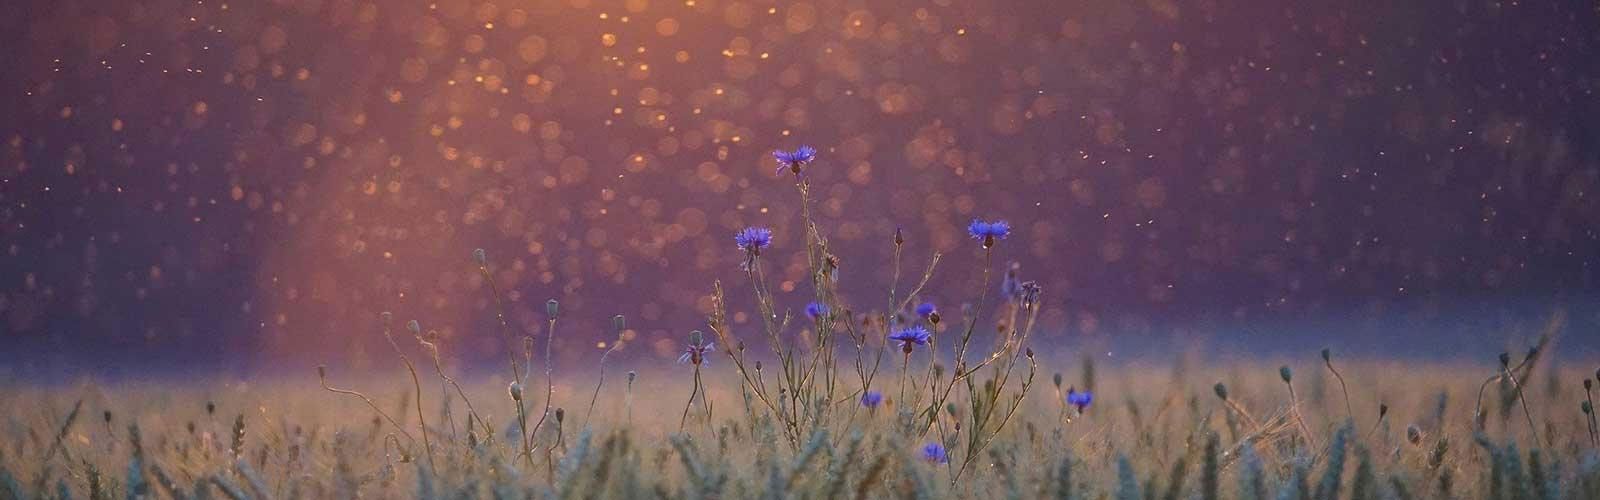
(246, 185)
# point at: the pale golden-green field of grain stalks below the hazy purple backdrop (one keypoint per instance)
(1162, 432)
